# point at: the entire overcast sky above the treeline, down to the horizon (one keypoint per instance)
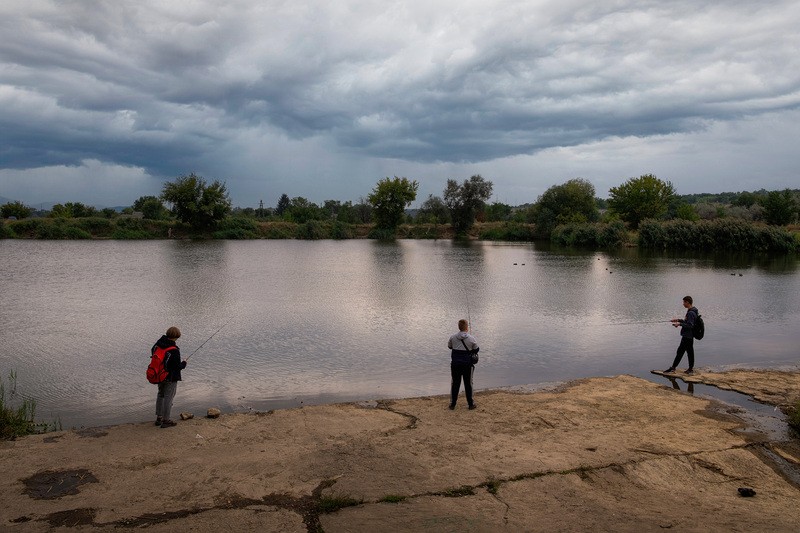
(102, 102)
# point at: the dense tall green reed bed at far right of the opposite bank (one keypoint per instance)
(712, 235)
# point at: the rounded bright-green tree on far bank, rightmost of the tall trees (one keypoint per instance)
(641, 198)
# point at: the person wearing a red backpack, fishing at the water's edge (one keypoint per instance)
(166, 375)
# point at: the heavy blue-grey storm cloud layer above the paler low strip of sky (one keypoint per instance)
(176, 86)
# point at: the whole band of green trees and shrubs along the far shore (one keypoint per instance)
(643, 211)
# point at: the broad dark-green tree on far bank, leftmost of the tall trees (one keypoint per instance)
(196, 203)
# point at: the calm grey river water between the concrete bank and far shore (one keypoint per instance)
(322, 321)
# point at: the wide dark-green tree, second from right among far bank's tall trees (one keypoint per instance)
(569, 203)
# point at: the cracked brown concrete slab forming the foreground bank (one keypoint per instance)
(606, 454)
